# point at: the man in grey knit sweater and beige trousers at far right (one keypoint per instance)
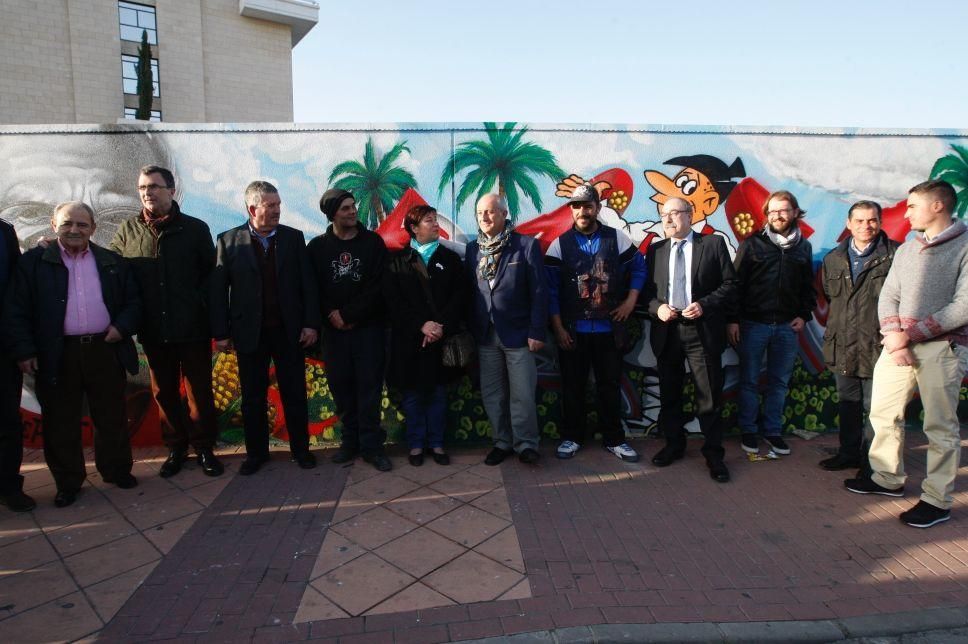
(923, 311)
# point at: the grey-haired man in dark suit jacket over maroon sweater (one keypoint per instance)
(264, 304)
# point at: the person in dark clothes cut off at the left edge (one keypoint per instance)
(11, 384)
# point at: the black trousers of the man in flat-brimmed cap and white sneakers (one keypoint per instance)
(596, 352)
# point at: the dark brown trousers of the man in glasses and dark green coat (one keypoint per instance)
(188, 421)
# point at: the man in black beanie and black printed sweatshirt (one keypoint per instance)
(348, 261)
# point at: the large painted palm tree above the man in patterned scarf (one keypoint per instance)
(504, 161)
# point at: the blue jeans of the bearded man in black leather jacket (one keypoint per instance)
(779, 343)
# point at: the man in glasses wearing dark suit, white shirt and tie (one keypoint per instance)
(690, 289)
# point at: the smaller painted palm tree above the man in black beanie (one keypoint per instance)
(376, 183)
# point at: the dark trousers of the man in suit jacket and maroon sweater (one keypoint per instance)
(290, 365)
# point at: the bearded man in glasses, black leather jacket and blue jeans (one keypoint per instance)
(775, 299)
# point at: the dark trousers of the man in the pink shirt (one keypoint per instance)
(89, 368)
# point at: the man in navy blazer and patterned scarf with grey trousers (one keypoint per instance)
(509, 318)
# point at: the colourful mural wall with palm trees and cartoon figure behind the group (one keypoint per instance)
(725, 173)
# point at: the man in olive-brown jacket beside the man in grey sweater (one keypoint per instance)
(853, 274)
